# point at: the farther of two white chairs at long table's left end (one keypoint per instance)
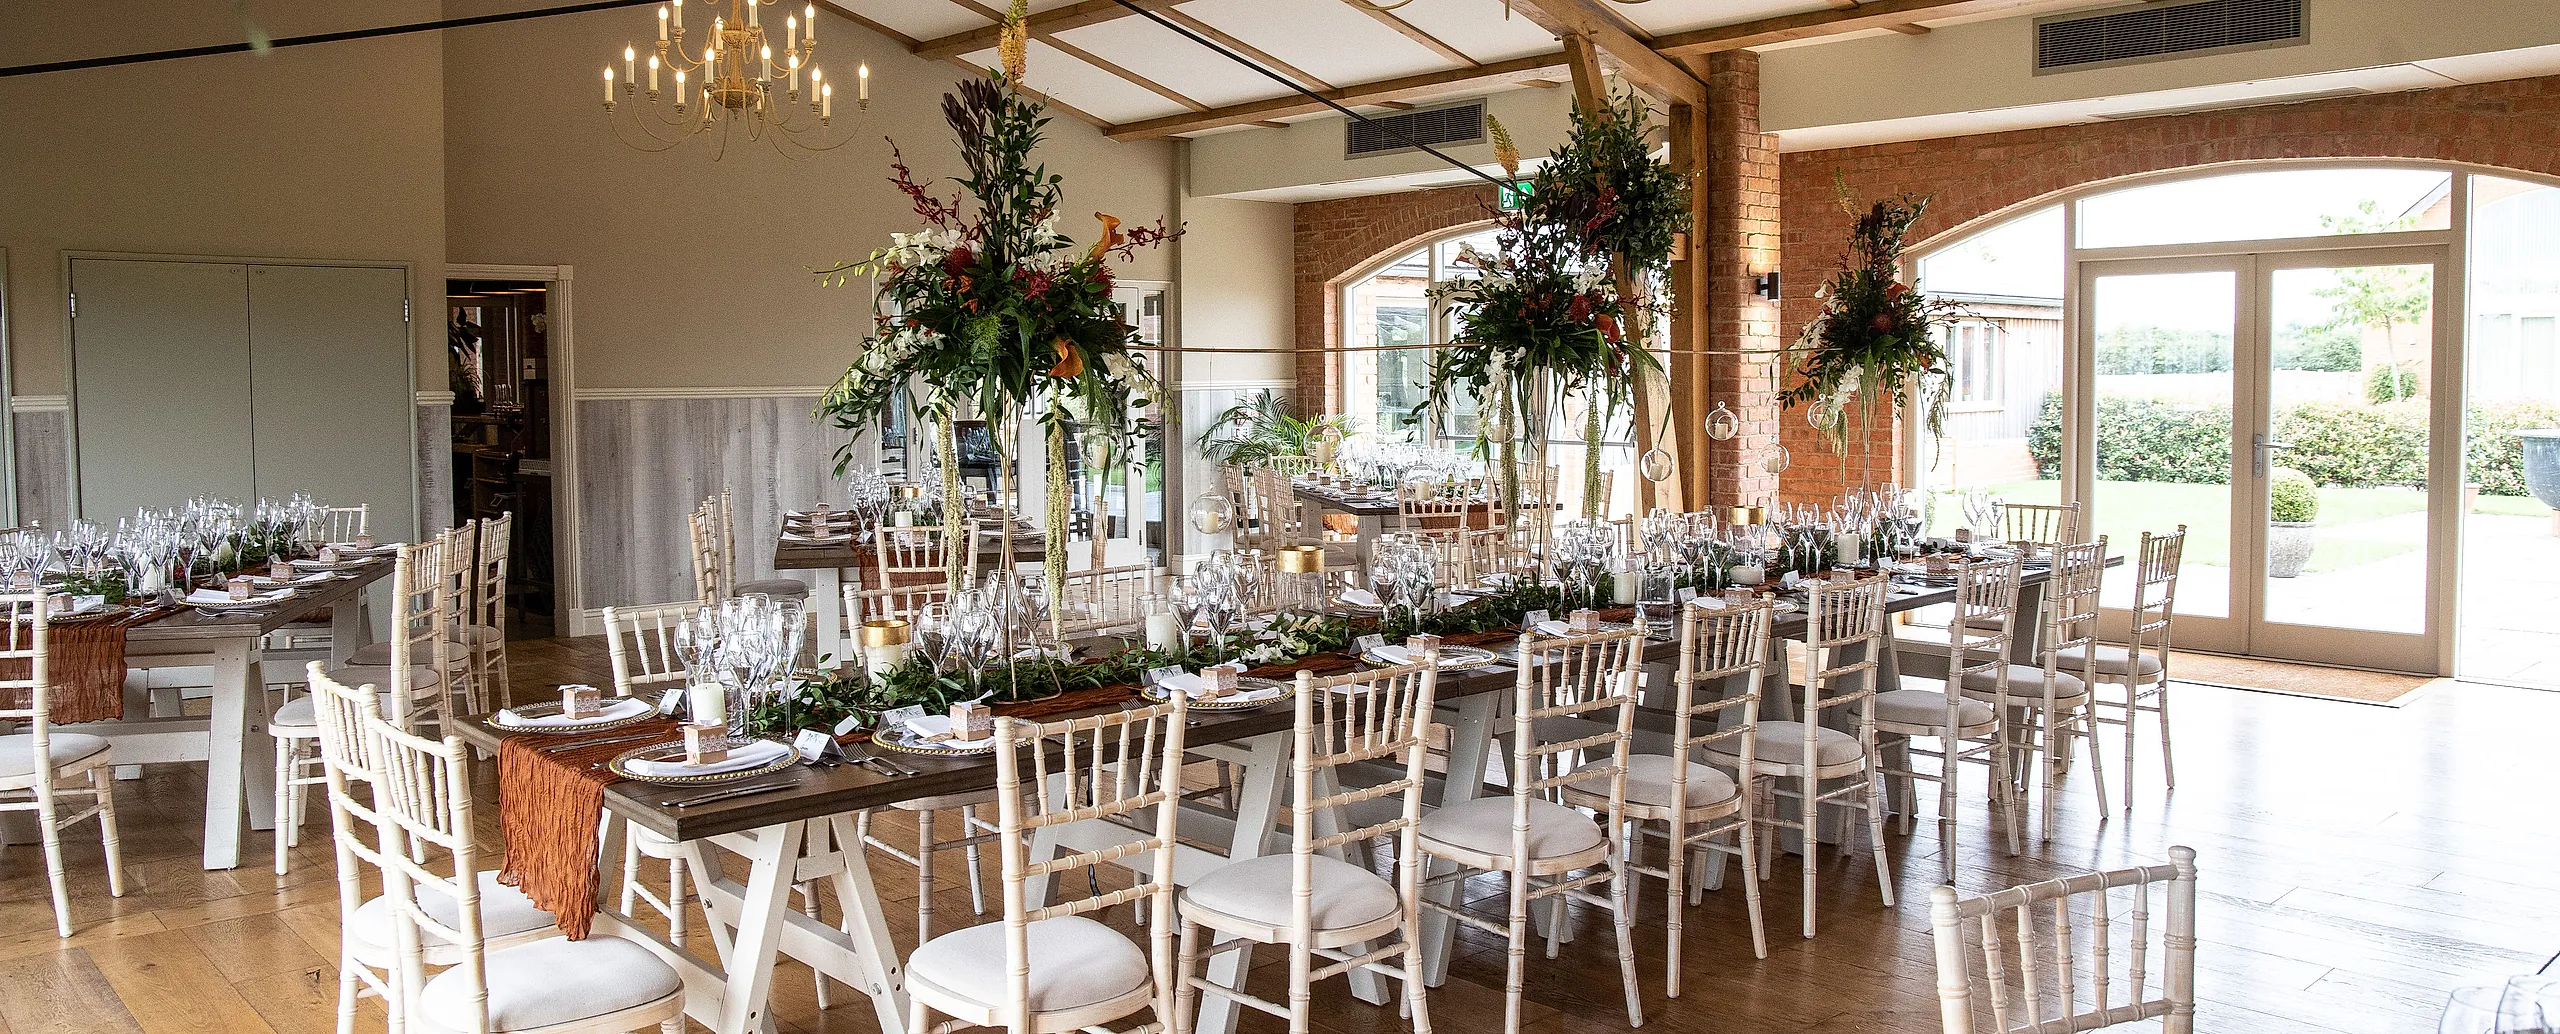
(367, 953)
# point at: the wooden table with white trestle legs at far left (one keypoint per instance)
(232, 744)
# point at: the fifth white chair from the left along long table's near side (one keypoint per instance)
(1844, 633)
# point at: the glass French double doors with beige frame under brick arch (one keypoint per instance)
(2287, 408)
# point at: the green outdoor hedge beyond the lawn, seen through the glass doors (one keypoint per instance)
(2336, 444)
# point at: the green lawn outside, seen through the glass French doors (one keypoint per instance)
(2131, 508)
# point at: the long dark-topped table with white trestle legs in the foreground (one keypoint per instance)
(754, 923)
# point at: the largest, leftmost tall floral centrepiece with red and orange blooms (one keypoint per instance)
(997, 311)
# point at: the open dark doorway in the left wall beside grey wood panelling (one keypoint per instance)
(498, 339)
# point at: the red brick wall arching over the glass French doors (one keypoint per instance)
(1975, 180)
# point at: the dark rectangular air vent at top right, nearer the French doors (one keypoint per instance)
(2159, 32)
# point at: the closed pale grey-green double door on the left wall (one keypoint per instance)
(242, 383)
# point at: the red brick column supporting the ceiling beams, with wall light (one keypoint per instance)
(1740, 239)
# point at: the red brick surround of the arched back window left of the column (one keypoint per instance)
(1343, 237)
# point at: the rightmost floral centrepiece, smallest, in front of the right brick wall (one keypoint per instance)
(1878, 337)
